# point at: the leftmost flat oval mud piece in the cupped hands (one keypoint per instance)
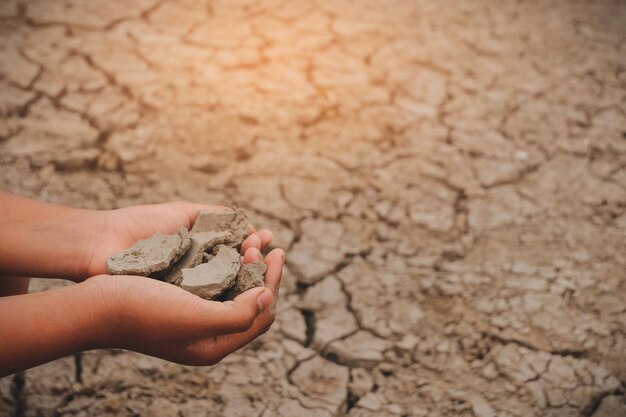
(150, 256)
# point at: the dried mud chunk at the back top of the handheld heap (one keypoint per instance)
(234, 221)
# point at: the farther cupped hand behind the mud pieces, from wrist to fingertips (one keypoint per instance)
(116, 230)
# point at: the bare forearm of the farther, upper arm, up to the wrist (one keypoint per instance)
(46, 240)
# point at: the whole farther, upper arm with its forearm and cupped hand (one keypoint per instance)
(47, 240)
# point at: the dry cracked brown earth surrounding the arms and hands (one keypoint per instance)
(449, 181)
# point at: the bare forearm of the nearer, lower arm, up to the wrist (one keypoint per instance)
(40, 327)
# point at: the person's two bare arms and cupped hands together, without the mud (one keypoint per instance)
(129, 312)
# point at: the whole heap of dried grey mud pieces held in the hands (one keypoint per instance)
(204, 261)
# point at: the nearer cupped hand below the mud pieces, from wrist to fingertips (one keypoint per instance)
(165, 321)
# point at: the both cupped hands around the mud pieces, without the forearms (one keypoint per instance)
(188, 329)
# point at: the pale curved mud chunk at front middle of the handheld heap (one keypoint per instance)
(211, 279)
